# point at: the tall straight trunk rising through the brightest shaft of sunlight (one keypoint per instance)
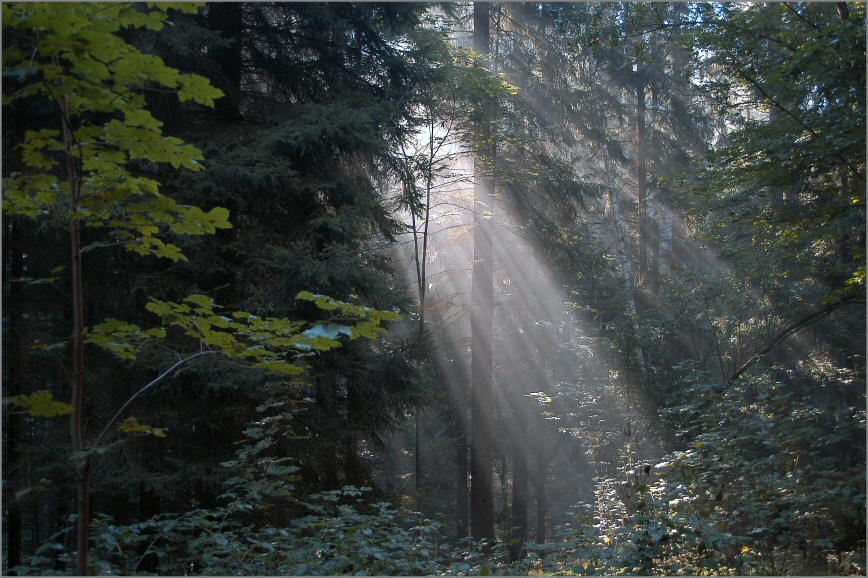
(481, 314)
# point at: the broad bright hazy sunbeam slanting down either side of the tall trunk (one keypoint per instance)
(546, 350)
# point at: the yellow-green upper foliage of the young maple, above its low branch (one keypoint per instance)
(73, 51)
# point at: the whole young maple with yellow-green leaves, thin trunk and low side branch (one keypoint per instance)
(88, 170)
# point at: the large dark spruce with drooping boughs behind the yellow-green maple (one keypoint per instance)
(309, 174)
